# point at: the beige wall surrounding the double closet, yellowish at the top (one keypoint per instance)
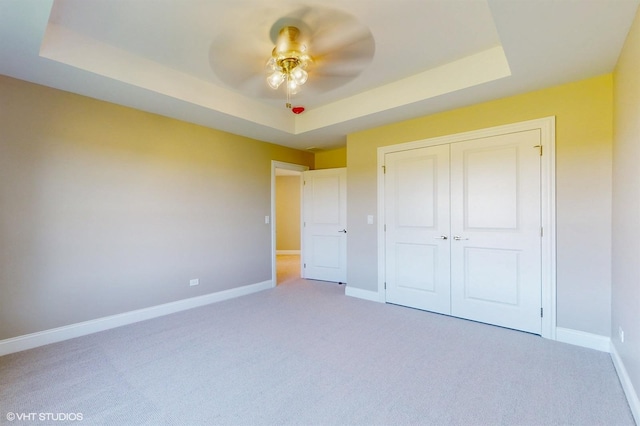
(583, 113)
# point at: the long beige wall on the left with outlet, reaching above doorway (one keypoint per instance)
(105, 209)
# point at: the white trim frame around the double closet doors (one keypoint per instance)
(546, 127)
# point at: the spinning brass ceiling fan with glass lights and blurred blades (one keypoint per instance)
(315, 46)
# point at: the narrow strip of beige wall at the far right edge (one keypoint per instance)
(626, 208)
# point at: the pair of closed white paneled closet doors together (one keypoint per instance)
(484, 196)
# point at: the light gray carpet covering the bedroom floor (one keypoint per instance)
(303, 353)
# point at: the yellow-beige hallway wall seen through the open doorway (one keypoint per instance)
(288, 212)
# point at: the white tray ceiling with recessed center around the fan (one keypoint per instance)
(430, 56)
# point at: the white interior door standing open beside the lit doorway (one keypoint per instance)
(325, 225)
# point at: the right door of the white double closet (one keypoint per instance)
(496, 230)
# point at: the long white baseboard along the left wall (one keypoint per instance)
(41, 338)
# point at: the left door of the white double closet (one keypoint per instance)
(417, 228)
